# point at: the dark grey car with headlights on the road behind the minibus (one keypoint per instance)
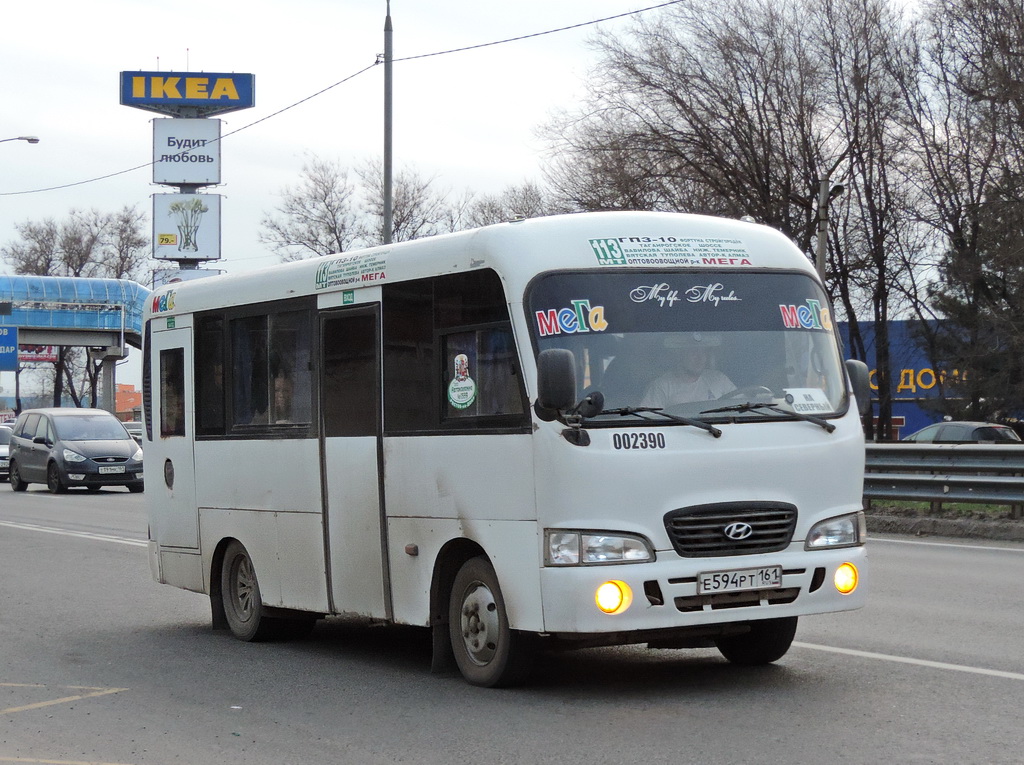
(73, 448)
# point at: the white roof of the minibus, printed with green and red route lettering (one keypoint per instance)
(518, 251)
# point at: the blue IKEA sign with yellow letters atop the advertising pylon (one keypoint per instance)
(182, 94)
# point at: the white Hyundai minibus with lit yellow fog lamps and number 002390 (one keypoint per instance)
(580, 431)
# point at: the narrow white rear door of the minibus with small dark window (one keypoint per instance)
(169, 465)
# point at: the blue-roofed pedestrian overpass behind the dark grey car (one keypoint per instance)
(102, 315)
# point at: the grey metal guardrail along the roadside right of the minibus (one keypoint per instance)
(943, 474)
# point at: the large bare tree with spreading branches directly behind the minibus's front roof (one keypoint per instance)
(711, 108)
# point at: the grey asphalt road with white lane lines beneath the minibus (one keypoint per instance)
(101, 665)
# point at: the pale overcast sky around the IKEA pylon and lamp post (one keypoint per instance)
(470, 118)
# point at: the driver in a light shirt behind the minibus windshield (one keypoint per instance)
(691, 377)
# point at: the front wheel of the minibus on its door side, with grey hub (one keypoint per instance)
(488, 652)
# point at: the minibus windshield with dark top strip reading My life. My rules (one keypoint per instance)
(697, 345)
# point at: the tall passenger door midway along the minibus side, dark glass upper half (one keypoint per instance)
(351, 463)
